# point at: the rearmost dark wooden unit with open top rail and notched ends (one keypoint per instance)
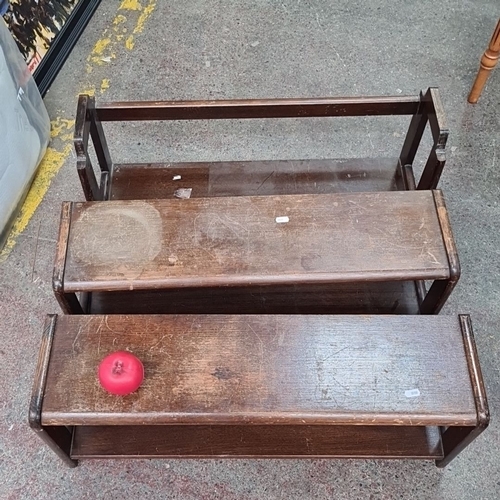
(156, 180)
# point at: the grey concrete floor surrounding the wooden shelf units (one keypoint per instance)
(237, 49)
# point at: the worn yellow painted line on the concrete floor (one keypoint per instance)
(62, 129)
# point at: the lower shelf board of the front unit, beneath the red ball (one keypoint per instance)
(258, 441)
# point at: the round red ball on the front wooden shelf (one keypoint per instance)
(121, 373)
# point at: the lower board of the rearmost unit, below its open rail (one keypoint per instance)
(253, 178)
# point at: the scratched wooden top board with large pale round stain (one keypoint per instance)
(203, 242)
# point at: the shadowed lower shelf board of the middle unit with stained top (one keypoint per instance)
(394, 297)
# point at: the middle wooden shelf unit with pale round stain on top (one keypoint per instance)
(344, 252)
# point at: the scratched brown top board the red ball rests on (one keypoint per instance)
(217, 369)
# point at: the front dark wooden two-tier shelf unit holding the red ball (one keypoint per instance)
(262, 386)
